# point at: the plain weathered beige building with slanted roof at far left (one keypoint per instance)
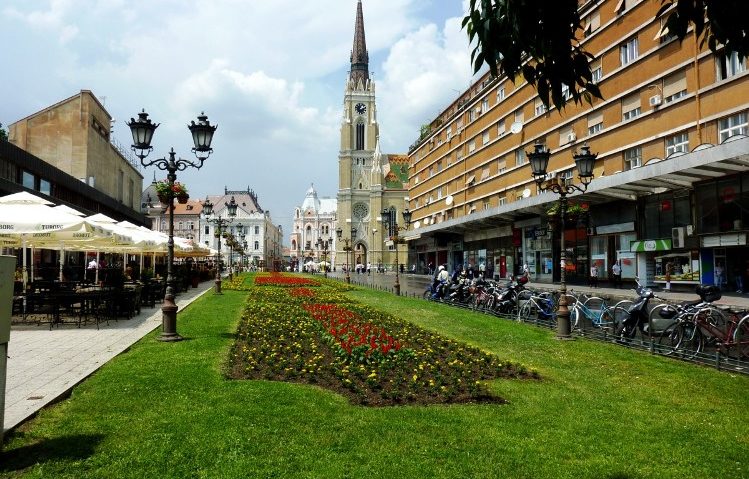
(74, 136)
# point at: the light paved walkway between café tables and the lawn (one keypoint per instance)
(45, 365)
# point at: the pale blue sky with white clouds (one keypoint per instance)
(271, 73)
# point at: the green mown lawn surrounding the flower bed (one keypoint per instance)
(600, 411)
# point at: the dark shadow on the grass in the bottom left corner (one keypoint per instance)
(76, 447)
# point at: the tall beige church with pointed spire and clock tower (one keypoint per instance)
(369, 181)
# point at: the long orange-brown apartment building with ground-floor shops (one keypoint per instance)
(671, 181)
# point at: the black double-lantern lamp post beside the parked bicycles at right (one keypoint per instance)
(539, 160)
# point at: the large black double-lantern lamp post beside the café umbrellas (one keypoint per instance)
(142, 130)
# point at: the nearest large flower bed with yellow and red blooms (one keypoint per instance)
(371, 357)
